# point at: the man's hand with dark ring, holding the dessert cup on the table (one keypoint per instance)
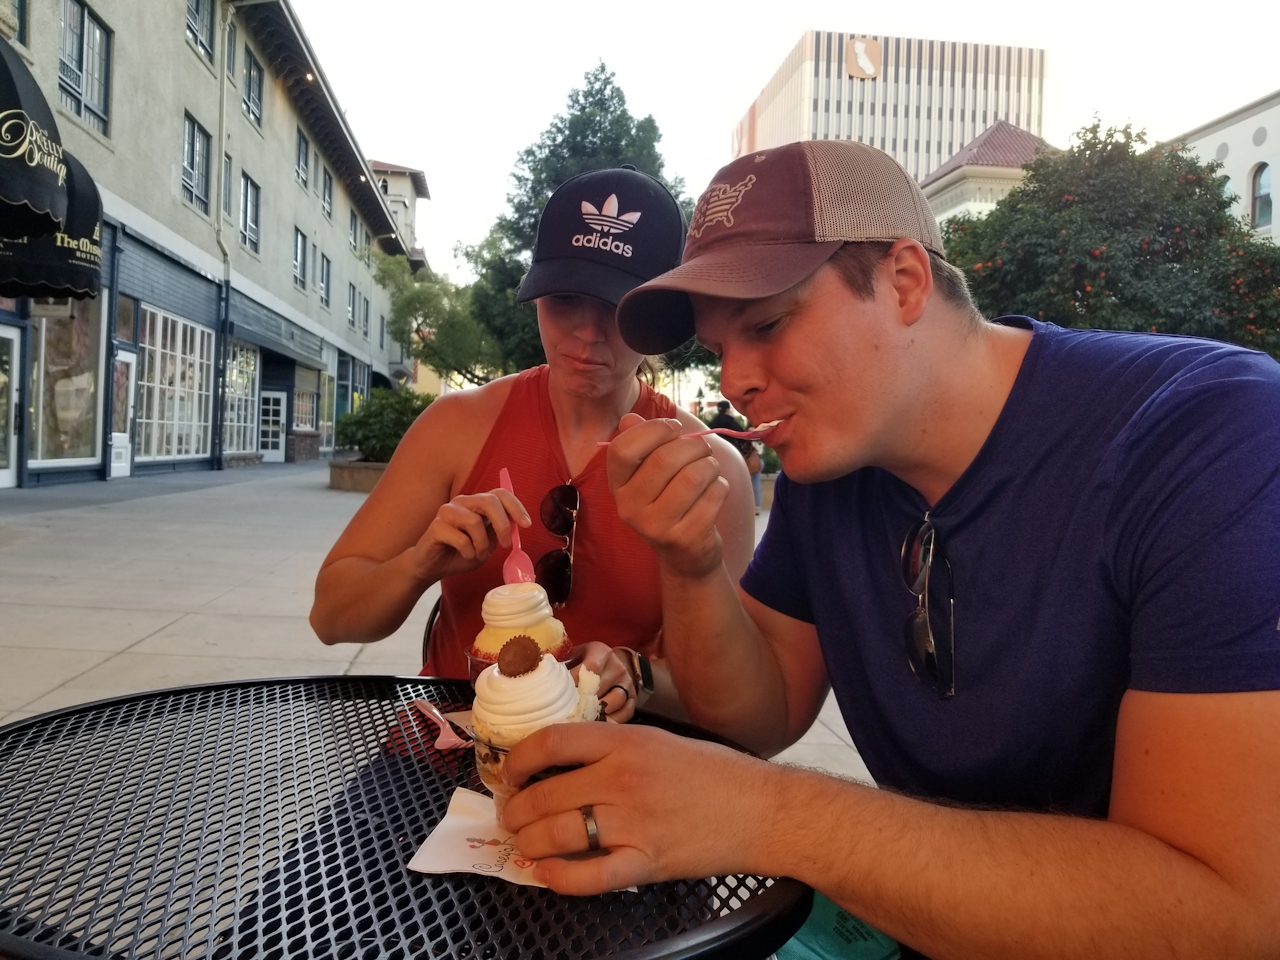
(666, 807)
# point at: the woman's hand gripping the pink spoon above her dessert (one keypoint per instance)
(465, 533)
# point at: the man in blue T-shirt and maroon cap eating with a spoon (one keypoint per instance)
(1037, 566)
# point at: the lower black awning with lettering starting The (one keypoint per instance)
(68, 264)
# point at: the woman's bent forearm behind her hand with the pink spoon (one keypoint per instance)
(360, 600)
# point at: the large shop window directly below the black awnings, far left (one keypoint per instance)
(66, 403)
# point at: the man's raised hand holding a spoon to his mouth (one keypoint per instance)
(670, 491)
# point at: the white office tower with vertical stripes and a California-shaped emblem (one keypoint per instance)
(920, 100)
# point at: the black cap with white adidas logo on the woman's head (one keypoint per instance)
(605, 234)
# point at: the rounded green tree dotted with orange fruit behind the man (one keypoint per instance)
(1114, 237)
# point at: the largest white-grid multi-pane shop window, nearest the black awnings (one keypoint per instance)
(176, 388)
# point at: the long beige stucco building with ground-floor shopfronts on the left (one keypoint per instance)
(240, 316)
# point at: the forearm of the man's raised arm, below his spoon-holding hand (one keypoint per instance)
(721, 664)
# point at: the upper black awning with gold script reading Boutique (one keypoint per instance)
(33, 170)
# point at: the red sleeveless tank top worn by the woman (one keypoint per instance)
(616, 597)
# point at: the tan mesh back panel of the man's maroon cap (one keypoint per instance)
(861, 194)
